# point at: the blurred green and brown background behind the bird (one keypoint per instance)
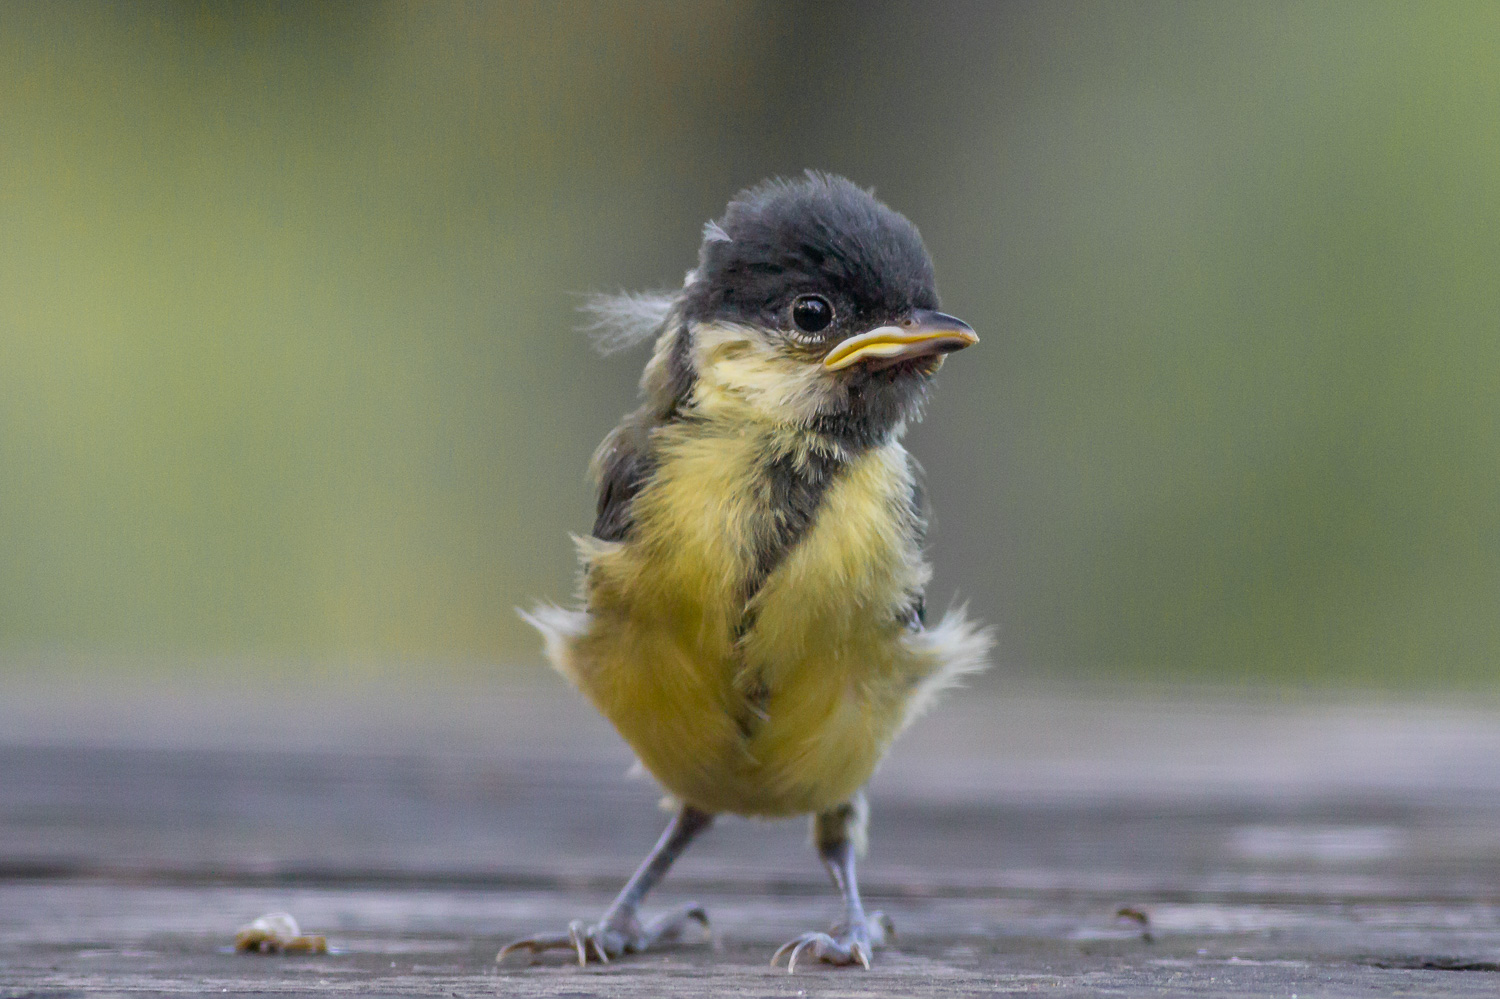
(289, 367)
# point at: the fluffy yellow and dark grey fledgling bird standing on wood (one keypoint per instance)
(752, 608)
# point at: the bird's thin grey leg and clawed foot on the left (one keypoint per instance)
(622, 931)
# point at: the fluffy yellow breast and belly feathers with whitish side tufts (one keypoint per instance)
(779, 706)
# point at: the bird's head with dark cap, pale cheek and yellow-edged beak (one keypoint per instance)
(812, 304)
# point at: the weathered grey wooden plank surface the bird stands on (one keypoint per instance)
(1276, 850)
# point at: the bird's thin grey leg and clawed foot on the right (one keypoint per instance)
(839, 835)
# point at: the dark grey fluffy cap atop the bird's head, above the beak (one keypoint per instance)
(823, 236)
